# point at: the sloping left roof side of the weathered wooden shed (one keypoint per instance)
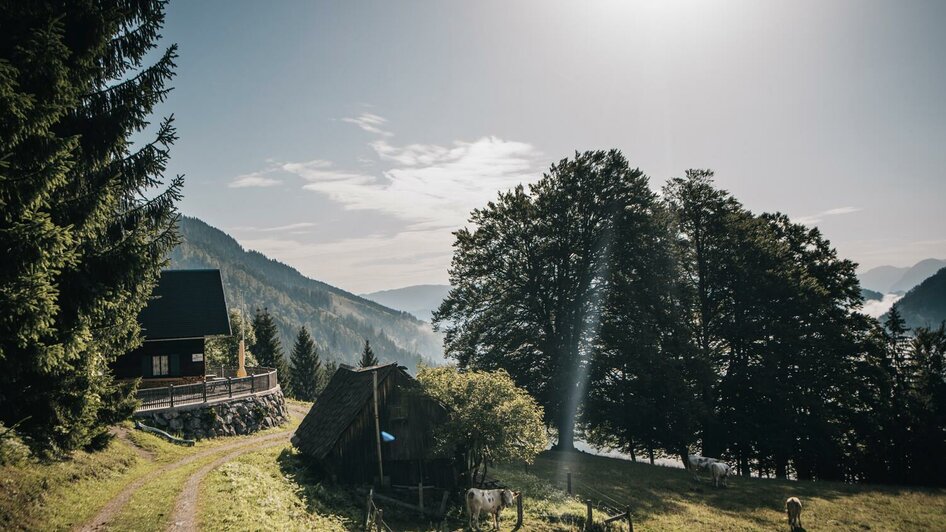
(338, 405)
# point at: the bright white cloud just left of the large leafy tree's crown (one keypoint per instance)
(430, 186)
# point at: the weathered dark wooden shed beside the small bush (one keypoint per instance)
(339, 433)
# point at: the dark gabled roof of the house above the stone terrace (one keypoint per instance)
(186, 304)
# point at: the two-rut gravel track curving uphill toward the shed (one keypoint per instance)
(183, 512)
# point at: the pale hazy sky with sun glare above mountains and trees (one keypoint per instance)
(349, 139)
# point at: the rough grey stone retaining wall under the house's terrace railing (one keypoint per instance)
(231, 417)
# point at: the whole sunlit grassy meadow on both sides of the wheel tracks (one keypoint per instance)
(272, 489)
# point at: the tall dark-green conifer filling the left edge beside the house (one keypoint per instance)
(85, 221)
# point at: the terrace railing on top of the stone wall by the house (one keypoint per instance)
(224, 386)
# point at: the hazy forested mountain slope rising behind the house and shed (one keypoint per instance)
(338, 320)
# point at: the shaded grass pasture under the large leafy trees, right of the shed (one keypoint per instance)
(669, 499)
